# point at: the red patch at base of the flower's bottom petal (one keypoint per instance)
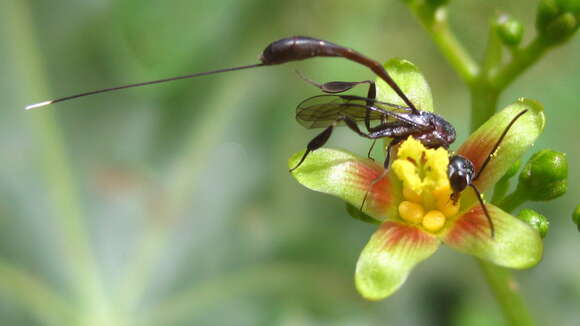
(398, 235)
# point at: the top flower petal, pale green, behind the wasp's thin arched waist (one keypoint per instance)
(411, 82)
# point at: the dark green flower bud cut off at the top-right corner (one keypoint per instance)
(558, 20)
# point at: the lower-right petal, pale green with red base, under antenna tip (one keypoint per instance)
(514, 245)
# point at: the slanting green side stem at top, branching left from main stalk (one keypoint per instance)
(436, 24)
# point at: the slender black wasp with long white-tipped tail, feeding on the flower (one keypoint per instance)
(395, 122)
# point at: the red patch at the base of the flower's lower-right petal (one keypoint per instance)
(472, 224)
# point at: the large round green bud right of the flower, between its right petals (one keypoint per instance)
(545, 176)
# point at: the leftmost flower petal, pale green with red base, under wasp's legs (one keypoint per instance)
(349, 177)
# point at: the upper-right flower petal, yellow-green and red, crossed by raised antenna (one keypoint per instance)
(519, 139)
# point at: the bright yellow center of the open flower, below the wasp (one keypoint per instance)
(426, 187)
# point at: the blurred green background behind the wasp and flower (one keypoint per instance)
(173, 205)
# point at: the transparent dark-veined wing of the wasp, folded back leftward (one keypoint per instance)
(323, 110)
